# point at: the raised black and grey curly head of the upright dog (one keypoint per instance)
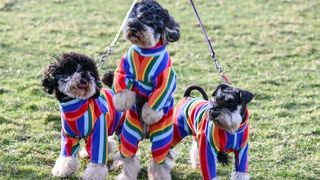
(149, 23)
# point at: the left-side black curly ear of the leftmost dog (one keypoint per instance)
(49, 82)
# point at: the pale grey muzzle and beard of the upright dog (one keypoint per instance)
(144, 38)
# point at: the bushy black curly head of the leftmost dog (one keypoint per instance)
(72, 76)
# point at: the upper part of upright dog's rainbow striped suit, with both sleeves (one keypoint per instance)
(148, 72)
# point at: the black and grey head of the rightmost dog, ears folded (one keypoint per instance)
(228, 107)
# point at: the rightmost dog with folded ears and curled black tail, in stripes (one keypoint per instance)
(219, 126)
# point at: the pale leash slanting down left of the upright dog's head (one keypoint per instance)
(113, 44)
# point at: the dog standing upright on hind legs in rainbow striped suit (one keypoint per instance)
(146, 70)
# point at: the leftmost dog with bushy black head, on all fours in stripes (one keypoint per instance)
(87, 112)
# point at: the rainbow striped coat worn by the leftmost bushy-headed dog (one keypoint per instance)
(92, 120)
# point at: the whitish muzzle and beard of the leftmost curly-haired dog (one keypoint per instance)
(73, 88)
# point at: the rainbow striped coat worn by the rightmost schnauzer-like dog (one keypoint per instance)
(190, 118)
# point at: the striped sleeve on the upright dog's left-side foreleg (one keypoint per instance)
(123, 78)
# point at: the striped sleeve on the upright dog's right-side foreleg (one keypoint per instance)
(164, 87)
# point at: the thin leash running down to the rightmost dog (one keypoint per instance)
(223, 76)
